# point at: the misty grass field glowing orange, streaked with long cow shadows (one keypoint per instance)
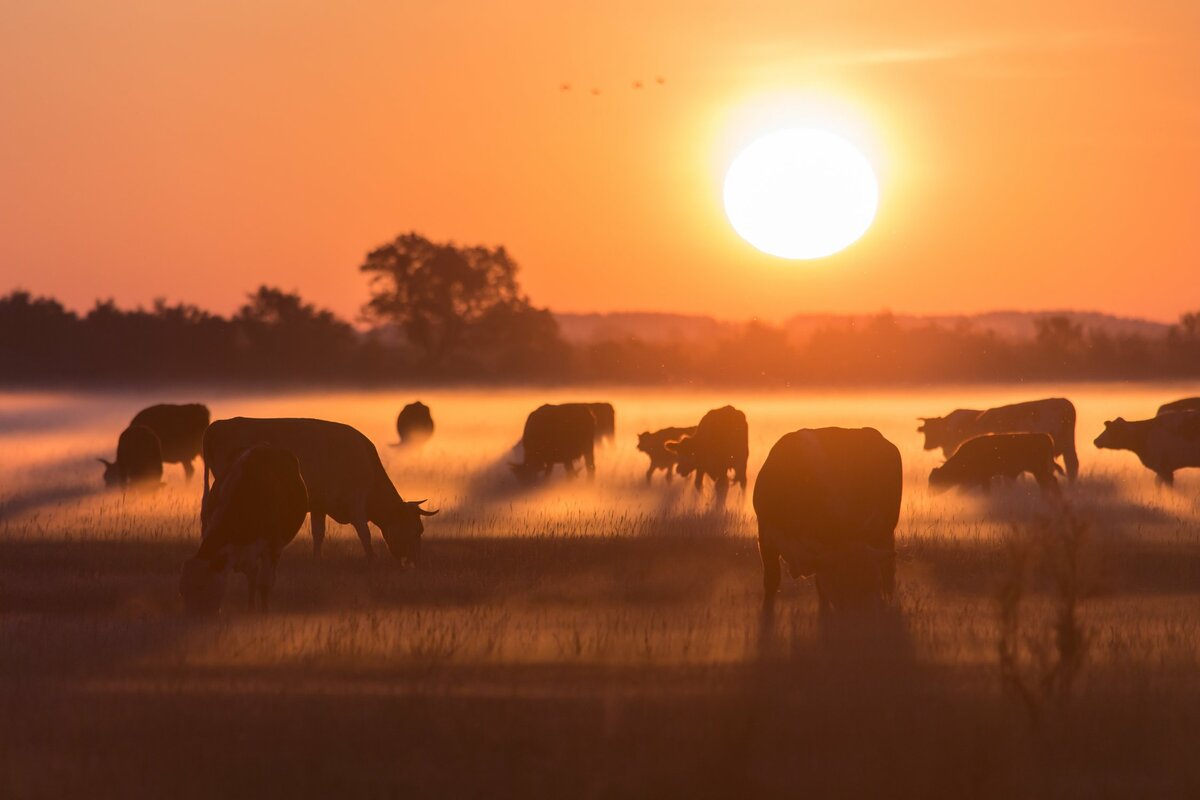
(589, 639)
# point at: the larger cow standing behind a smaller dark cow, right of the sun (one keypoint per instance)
(1055, 417)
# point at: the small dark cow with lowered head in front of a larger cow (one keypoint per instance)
(1000, 455)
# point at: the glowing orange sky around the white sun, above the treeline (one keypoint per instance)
(1033, 155)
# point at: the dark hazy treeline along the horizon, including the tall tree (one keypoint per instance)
(441, 314)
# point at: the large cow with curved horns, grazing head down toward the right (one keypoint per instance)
(343, 471)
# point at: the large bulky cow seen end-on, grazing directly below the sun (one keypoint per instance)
(827, 502)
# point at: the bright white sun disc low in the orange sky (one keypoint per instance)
(801, 194)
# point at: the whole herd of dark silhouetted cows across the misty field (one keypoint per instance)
(827, 501)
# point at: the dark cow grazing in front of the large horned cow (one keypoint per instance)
(255, 510)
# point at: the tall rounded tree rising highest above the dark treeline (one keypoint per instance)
(455, 304)
